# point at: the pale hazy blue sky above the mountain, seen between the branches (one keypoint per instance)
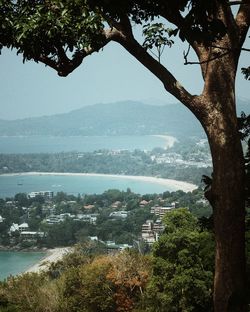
(111, 75)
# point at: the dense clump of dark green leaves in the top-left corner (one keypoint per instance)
(48, 27)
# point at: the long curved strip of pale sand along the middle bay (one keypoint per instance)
(179, 185)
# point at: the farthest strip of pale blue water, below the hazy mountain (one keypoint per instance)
(52, 144)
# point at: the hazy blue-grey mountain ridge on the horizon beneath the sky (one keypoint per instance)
(121, 118)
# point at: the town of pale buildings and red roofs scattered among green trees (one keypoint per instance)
(117, 219)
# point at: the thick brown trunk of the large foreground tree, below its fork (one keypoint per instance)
(227, 198)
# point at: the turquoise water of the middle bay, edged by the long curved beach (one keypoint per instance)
(13, 184)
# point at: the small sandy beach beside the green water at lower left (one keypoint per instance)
(53, 255)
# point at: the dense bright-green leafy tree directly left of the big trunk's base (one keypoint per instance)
(182, 266)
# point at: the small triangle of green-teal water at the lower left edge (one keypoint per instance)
(13, 262)
